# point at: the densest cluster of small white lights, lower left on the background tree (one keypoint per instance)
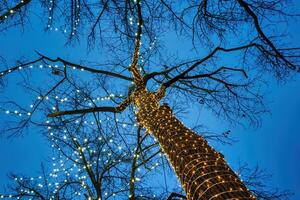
(63, 169)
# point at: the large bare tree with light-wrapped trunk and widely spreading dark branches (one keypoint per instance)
(229, 91)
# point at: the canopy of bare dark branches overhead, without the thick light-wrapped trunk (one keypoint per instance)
(217, 54)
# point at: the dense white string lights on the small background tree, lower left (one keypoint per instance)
(61, 167)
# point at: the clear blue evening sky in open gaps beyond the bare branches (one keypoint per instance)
(274, 146)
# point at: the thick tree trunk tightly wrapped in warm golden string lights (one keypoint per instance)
(203, 172)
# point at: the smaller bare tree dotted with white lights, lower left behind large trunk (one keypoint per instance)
(85, 165)
